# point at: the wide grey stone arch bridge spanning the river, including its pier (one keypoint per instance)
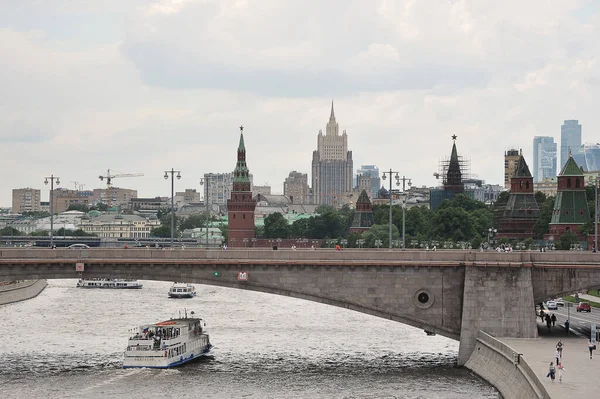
(451, 293)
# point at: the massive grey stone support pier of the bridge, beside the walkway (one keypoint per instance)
(499, 301)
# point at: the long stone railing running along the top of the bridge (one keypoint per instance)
(451, 257)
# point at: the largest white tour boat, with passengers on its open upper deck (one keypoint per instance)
(167, 344)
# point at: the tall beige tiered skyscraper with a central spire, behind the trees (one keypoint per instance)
(332, 164)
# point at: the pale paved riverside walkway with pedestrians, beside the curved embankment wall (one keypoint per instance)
(581, 373)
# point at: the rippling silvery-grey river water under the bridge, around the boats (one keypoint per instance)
(68, 343)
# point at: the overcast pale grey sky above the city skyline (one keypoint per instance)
(143, 86)
